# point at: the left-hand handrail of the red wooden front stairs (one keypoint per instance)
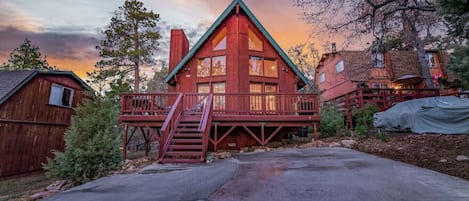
(169, 125)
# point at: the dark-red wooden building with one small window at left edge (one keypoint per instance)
(35, 110)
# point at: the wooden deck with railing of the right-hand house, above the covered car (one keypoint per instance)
(383, 98)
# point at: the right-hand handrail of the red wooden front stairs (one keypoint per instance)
(205, 125)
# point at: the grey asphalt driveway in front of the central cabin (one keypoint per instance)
(290, 174)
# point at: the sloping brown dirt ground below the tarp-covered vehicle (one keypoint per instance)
(431, 151)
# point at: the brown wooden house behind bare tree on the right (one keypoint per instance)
(344, 71)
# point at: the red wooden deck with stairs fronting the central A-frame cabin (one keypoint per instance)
(187, 125)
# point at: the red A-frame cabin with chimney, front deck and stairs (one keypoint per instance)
(235, 88)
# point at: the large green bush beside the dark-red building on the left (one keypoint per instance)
(92, 144)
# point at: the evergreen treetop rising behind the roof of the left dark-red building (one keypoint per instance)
(26, 57)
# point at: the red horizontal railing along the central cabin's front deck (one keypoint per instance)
(222, 104)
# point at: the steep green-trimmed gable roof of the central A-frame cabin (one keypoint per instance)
(217, 23)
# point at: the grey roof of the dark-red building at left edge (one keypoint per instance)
(13, 80)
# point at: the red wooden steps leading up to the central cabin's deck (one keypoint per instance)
(186, 145)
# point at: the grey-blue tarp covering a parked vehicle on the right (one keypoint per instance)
(444, 114)
